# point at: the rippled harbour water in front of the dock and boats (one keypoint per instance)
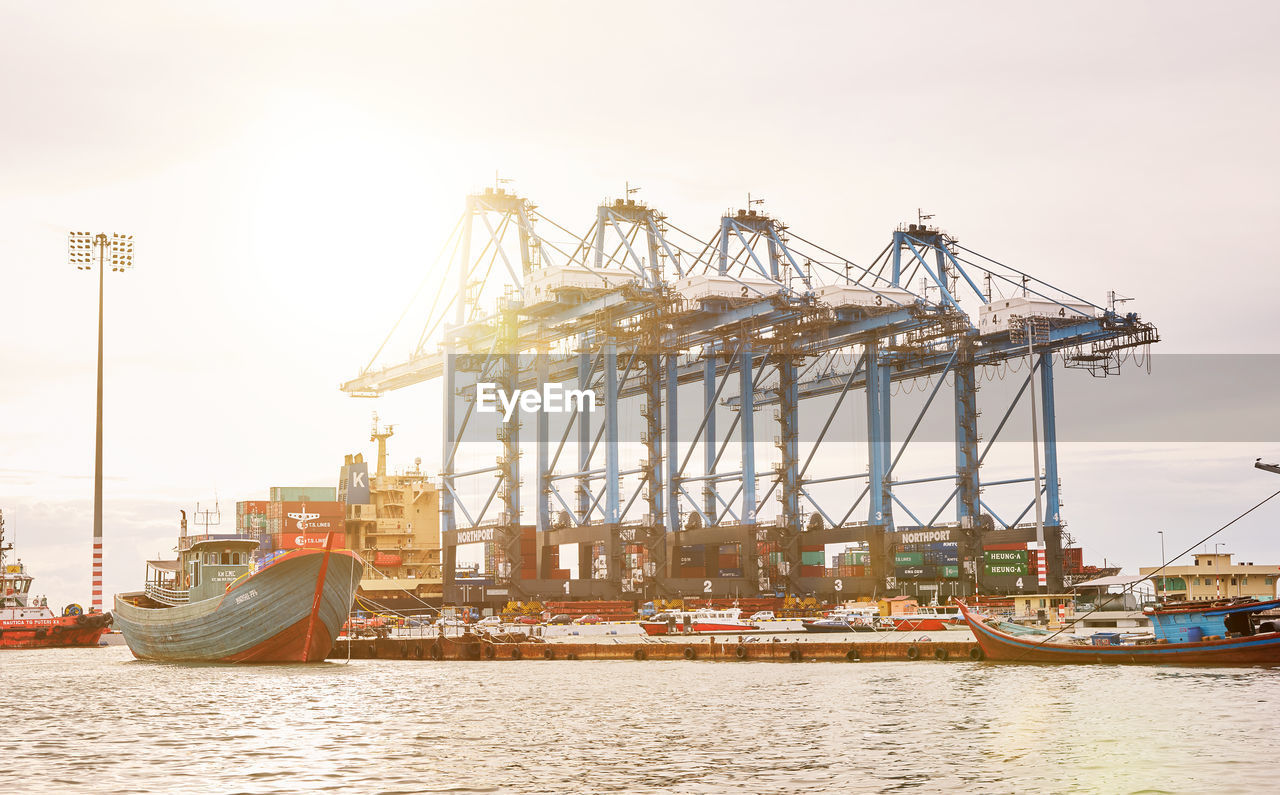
(97, 720)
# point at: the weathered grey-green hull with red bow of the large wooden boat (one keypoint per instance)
(290, 611)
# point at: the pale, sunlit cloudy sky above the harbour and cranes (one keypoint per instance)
(289, 171)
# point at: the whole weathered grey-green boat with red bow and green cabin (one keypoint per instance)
(211, 605)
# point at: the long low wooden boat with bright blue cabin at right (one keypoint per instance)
(1228, 633)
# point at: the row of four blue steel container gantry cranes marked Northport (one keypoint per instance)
(696, 339)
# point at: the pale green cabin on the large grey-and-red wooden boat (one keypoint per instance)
(204, 569)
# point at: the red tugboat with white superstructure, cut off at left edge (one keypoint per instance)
(29, 624)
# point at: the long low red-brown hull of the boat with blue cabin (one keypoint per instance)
(1255, 650)
